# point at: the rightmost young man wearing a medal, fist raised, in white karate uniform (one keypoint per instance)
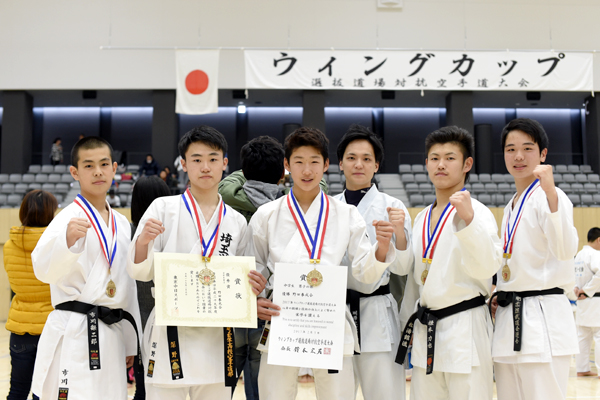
(535, 332)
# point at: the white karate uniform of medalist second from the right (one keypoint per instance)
(464, 262)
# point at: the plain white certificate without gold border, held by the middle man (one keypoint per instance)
(309, 332)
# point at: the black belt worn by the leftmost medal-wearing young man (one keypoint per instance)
(104, 314)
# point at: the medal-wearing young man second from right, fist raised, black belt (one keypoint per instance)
(457, 251)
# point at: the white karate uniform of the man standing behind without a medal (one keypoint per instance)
(376, 371)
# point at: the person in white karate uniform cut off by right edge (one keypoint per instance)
(587, 317)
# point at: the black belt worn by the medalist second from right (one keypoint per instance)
(429, 318)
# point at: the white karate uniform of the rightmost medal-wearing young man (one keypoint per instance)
(543, 249)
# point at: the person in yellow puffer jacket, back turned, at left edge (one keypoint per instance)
(32, 303)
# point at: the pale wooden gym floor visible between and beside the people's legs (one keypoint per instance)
(579, 388)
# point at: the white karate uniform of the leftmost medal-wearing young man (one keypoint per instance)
(80, 273)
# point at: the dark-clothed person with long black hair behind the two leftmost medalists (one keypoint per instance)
(145, 190)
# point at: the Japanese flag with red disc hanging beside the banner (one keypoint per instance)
(197, 81)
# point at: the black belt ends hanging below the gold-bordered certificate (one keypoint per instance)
(228, 349)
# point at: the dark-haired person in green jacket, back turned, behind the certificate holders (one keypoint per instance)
(246, 190)
